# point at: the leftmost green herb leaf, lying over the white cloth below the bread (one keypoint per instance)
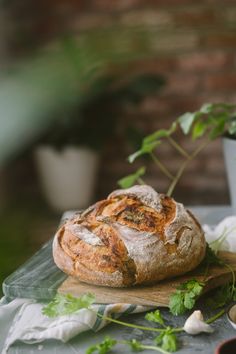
(67, 304)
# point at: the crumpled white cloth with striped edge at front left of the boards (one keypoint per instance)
(37, 328)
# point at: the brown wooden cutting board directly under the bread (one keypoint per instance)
(158, 294)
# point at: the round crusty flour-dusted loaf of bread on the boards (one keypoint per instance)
(135, 236)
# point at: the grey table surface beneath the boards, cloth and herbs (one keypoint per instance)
(203, 343)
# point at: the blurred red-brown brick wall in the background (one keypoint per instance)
(193, 48)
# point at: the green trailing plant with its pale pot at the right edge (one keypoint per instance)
(208, 123)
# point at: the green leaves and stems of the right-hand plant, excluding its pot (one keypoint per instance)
(211, 121)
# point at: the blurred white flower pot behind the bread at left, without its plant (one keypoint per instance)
(67, 176)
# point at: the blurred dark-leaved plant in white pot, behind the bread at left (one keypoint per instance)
(67, 157)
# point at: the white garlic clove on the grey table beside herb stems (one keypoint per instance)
(195, 324)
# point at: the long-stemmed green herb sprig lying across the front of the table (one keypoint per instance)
(165, 342)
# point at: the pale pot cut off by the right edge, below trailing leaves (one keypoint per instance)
(229, 148)
